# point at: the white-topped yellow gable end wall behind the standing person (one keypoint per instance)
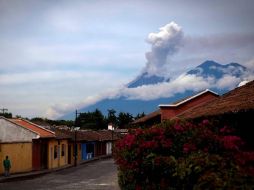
(16, 142)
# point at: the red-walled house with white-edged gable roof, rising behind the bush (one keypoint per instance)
(169, 111)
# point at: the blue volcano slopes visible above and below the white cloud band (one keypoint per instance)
(207, 70)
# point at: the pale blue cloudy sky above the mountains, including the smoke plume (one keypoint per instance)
(61, 54)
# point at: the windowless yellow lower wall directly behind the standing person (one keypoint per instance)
(20, 155)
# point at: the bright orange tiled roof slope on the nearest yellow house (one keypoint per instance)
(42, 132)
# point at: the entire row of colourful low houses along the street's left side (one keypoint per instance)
(32, 147)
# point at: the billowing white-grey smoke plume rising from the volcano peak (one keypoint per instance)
(164, 43)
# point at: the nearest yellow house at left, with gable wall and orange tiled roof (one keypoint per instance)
(31, 147)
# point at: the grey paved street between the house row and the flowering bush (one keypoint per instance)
(91, 176)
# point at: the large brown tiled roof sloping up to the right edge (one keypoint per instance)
(241, 98)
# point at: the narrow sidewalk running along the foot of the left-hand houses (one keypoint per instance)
(33, 174)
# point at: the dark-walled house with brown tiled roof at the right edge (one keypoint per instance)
(234, 109)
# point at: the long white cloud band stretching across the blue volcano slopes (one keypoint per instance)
(150, 92)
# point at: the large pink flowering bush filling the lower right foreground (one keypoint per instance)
(181, 155)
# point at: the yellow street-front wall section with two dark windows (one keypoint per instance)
(59, 160)
